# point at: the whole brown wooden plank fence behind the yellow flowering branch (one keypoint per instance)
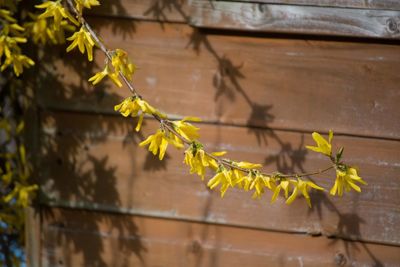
(262, 75)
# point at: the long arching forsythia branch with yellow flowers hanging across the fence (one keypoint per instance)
(228, 173)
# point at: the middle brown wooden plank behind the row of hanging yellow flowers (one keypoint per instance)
(93, 162)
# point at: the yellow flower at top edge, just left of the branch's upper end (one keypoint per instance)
(55, 10)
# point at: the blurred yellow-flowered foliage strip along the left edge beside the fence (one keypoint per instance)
(16, 97)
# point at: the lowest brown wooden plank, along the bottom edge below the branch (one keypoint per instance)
(78, 238)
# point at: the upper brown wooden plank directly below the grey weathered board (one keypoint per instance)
(304, 85)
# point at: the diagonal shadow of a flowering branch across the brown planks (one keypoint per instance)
(290, 158)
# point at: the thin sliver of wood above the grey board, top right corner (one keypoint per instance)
(371, 4)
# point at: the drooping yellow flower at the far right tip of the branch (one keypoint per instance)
(345, 180)
